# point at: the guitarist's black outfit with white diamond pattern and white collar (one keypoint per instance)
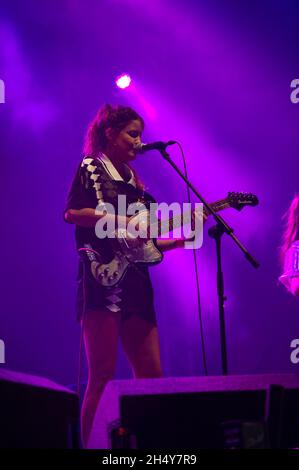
(97, 182)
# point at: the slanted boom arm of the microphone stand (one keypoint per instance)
(219, 220)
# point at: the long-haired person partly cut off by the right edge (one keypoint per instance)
(290, 249)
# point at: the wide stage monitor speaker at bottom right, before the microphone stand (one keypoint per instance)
(256, 411)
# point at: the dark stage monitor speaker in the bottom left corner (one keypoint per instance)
(36, 413)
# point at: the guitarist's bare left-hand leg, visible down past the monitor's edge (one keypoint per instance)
(101, 332)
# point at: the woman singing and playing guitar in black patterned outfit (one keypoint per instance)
(126, 311)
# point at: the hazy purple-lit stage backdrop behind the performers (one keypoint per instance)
(216, 76)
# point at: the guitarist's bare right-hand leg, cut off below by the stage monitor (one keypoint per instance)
(140, 341)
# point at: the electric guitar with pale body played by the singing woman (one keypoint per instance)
(130, 250)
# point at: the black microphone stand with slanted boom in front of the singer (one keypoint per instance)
(216, 232)
